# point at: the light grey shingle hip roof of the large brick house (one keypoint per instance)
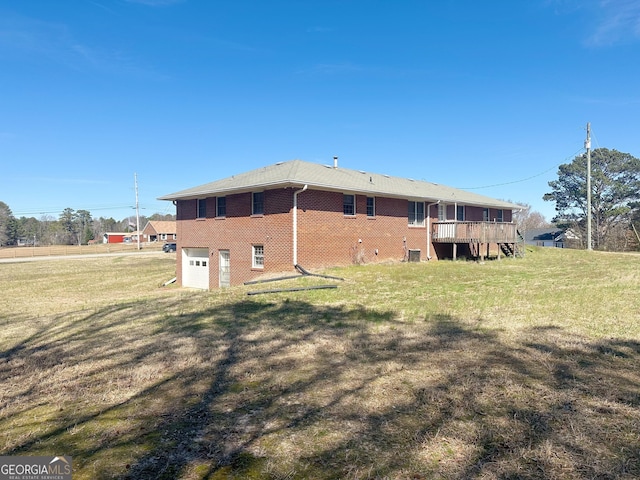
(297, 173)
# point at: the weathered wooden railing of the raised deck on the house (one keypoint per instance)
(474, 232)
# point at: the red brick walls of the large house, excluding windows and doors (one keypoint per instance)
(326, 237)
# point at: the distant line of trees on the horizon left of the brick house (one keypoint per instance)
(72, 227)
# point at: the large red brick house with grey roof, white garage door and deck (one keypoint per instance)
(268, 220)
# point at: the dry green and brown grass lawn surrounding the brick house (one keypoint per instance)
(526, 368)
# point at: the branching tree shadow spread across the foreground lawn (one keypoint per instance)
(287, 389)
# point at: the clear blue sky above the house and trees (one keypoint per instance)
(486, 96)
